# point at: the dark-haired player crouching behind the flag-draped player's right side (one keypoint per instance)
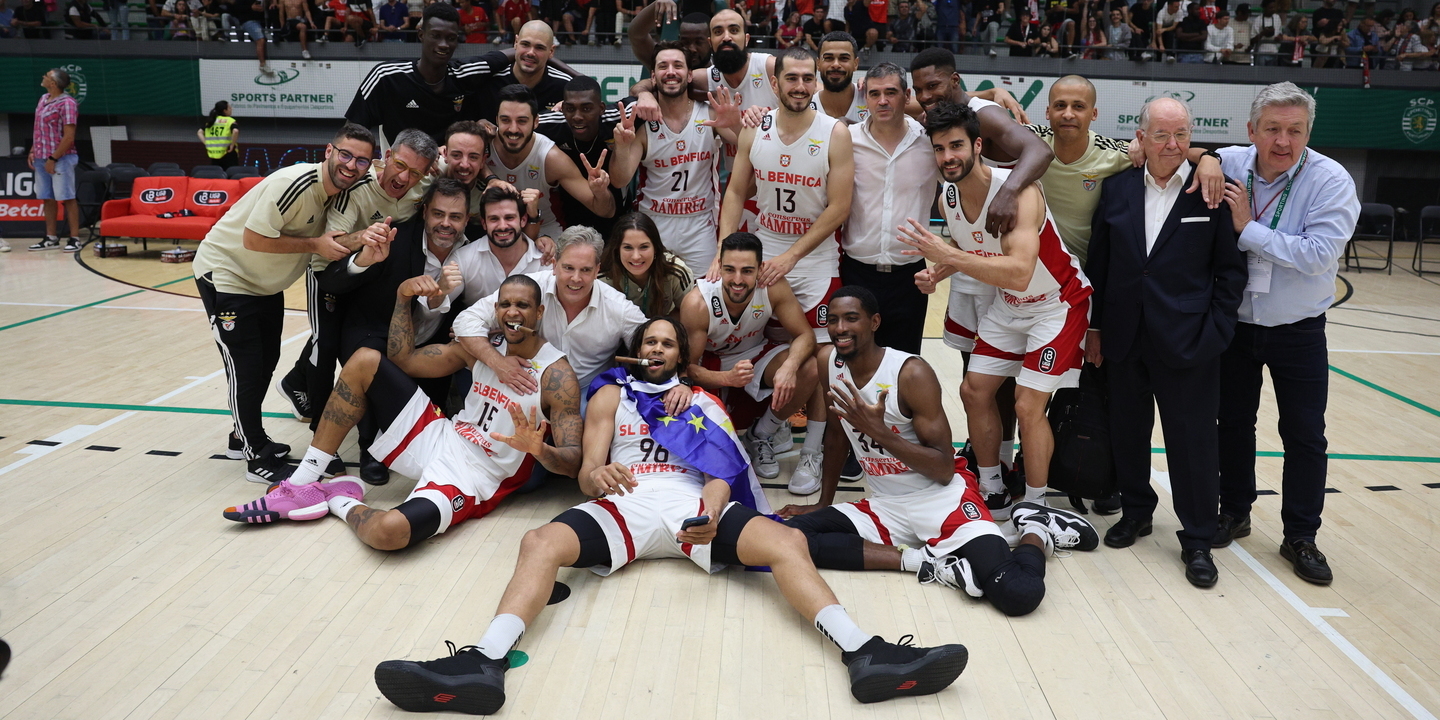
(726, 323)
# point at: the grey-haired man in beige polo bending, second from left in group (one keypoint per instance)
(381, 197)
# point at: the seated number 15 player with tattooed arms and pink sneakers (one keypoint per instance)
(463, 467)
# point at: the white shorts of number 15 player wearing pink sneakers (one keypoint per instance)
(449, 470)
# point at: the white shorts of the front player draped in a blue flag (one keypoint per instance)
(643, 526)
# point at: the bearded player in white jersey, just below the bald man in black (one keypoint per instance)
(532, 162)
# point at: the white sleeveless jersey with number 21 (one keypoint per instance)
(679, 172)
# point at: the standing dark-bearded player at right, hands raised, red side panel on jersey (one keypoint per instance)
(1036, 329)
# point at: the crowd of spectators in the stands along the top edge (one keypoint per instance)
(1278, 32)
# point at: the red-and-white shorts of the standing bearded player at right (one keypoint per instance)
(1040, 351)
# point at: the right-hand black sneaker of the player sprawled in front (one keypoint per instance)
(882, 670)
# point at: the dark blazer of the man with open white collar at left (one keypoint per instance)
(366, 300)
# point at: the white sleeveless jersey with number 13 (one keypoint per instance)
(791, 192)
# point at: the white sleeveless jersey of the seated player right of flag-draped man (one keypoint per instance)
(888, 476)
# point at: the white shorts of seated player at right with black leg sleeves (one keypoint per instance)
(944, 518)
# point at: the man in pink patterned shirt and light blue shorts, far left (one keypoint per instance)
(54, 158)
